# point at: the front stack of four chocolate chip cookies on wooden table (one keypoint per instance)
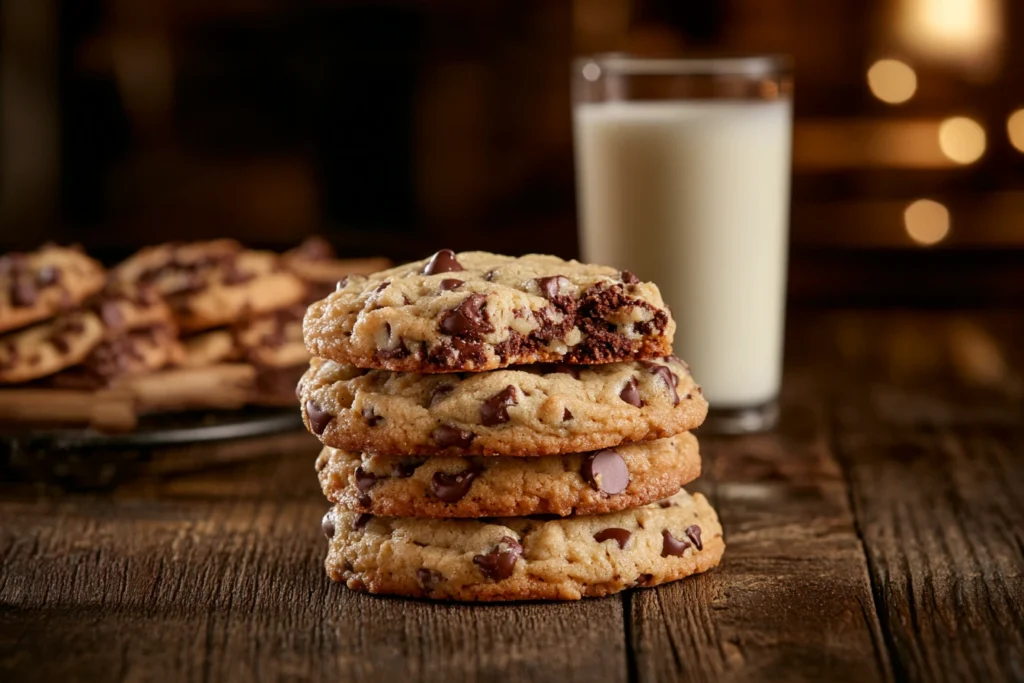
(501, 429)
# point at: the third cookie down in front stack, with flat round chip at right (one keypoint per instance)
(628, 477)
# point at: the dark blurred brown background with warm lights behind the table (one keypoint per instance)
(399, 127)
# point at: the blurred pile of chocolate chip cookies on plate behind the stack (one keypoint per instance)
(177, 327)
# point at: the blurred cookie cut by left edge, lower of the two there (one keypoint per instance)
(49, 348)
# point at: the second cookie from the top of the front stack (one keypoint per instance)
(528, 411)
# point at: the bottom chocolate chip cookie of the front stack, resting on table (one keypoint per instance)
(524, 559)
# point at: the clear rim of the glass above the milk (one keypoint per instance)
(623, 64)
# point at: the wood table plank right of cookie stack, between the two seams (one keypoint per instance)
(792, 601)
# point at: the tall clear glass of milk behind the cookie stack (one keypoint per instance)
(684, 178)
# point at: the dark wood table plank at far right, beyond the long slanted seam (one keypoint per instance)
(934, 457)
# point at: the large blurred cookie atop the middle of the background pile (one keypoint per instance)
(214, 284)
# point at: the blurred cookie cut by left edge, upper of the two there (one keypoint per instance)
(41, 284)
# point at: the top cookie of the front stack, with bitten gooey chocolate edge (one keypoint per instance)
(476, 312)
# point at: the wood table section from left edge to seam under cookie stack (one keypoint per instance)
(220, 577)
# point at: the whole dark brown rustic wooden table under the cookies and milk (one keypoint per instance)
(878, 535)
